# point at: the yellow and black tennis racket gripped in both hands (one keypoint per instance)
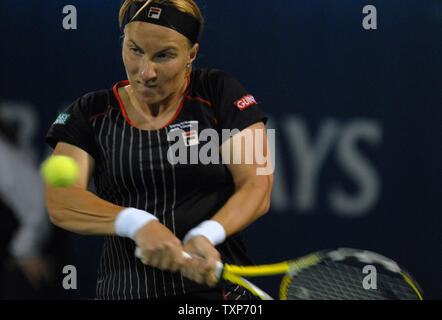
(340, 274)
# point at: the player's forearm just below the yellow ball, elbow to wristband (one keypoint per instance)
(81, 211)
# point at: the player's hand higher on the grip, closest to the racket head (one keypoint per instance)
(203, 264)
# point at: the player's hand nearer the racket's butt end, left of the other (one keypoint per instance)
(160, 247)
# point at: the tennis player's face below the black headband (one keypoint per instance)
(155, 58)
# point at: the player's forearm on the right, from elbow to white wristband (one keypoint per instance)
(248, 203)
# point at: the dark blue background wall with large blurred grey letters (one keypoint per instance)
(362, 104)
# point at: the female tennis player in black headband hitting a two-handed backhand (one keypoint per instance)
(122, 138)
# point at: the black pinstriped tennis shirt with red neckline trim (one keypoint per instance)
(132, 170)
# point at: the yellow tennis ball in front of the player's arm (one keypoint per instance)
(60, 171)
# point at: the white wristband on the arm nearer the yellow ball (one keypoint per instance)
(130, 220)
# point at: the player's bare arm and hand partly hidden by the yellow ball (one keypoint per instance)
(76, 209)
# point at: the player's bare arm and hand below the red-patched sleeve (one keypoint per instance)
(250, 201)
